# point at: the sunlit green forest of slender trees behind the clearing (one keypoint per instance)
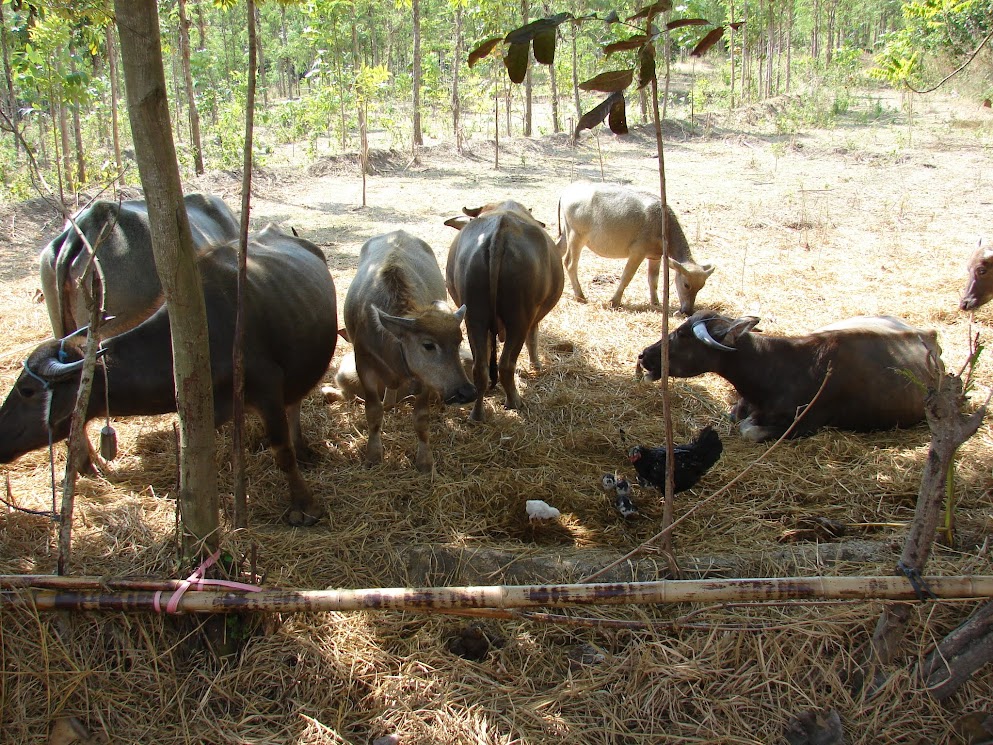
(323, 64)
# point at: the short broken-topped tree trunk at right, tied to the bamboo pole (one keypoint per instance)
(949, 429)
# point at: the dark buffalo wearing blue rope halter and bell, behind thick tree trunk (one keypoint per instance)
(290, 334)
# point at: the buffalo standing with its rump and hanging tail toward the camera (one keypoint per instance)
(503, 266)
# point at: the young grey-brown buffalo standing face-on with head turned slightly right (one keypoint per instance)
(404, 334)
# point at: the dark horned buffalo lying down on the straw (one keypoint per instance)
(776, 377)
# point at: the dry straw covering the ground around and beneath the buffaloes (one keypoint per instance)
(804, 230)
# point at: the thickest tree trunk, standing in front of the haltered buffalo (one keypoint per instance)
(175, 262)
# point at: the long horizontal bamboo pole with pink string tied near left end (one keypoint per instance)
(507, 596)
